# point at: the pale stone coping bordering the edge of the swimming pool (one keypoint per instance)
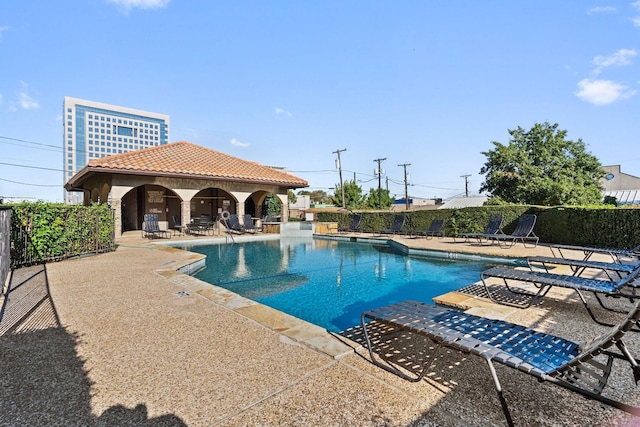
(293, 328)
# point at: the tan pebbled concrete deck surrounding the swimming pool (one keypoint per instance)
(139, 342)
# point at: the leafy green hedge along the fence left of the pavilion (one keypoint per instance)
(50, 231)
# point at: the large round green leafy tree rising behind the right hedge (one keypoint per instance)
(541, 167)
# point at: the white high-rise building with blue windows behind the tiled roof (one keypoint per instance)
(93, 130)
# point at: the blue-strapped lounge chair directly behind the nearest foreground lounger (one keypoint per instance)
(625, 287)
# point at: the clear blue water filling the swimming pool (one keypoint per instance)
(330, 283)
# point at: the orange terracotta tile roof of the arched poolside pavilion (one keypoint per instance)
(186, 160)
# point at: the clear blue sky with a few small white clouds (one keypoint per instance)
(287, 83)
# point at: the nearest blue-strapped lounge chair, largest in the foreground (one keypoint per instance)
(581, 368)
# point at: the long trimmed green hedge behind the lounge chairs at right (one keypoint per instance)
(586, 226)
